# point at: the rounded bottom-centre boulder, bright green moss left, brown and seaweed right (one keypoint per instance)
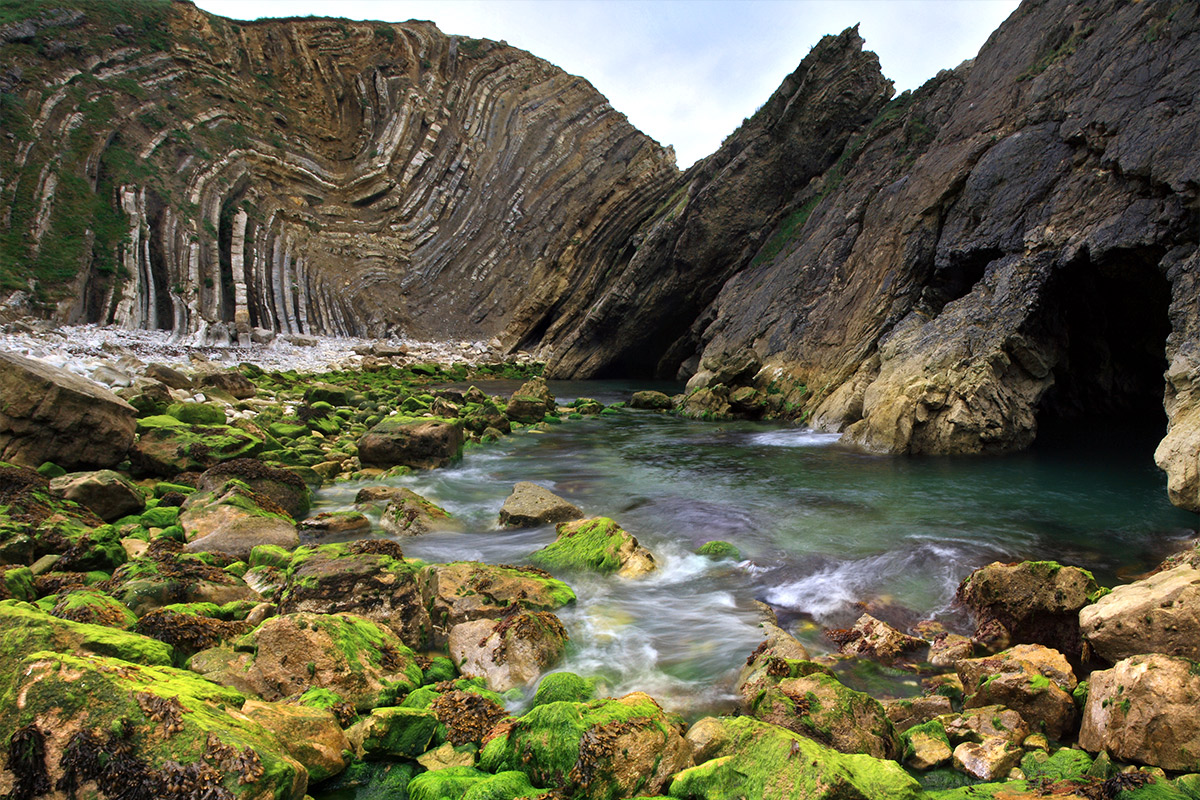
(603, 749)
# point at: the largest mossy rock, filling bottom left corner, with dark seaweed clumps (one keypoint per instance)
(141, 731)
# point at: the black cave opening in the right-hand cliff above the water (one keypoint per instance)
(1109, 322)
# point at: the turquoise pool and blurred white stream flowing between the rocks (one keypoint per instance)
(824, 532)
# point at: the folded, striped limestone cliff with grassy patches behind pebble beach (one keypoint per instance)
(166, 169)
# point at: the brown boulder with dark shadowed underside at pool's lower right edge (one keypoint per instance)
(1036, 603)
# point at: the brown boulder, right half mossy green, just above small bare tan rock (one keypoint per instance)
(362, 661)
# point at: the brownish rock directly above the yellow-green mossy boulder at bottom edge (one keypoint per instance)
(807, 700)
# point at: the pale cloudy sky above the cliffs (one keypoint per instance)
(686, 71)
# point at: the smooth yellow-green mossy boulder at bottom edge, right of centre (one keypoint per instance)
(743, 757)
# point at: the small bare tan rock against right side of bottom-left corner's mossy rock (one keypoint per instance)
(311, 737)
